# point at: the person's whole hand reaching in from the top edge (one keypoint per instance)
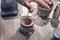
(40, 2)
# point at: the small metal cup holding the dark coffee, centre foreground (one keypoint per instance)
(26, 30)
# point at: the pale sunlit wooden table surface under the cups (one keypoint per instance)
(9, 28)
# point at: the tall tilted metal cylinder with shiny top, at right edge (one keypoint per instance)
(55, 17)
